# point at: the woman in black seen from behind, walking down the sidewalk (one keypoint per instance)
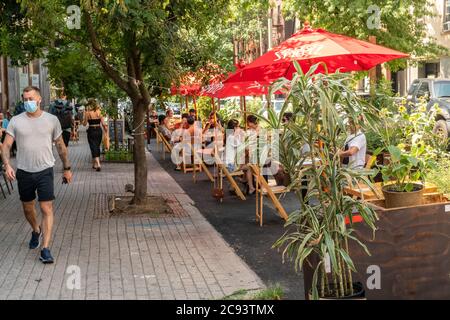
(94, 118)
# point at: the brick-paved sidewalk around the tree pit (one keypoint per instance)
(180, 257)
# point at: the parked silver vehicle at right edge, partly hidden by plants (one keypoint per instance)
(435, 91)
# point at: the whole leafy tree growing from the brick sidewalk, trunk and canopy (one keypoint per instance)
(140, 46)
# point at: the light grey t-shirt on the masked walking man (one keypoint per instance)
(34, 138)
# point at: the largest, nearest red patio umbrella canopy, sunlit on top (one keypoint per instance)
(309, 47)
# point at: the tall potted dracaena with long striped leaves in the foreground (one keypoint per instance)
(319, 232)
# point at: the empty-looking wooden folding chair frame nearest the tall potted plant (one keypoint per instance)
(264, 189)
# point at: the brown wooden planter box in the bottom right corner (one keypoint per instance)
(411, 248)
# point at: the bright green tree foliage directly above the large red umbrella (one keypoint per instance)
(400, 28)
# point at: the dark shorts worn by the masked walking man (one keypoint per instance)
(30, 182)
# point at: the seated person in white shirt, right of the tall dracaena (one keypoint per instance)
(354, 153)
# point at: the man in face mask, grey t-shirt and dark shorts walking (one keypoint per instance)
(35, 131)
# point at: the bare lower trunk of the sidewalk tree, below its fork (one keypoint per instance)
(140, 159)
